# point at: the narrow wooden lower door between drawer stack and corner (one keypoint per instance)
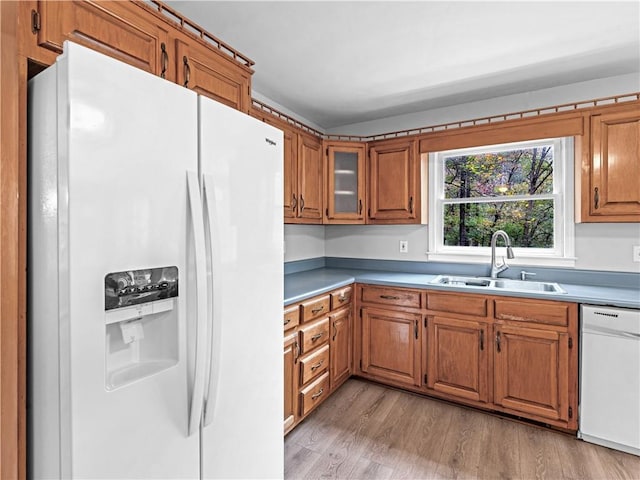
(341, 328)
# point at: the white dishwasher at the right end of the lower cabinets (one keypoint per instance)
(610, 377)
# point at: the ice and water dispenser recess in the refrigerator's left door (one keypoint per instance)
(141, 322)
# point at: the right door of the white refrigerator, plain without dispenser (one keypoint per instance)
(241, 166)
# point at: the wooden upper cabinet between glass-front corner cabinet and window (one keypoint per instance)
(393, 173)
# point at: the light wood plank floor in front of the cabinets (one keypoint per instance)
(368, 431)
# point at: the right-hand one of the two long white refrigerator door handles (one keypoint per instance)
(214, 326)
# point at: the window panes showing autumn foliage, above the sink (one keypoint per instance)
(510, 190)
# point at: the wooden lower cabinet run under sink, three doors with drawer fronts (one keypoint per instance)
(511, 355)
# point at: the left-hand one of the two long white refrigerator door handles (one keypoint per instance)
(201, 302)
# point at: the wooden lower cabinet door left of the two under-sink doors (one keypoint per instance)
(391, 345)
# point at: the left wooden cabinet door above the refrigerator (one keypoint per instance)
(118, 29)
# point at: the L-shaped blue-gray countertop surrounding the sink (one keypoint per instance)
(302, 285)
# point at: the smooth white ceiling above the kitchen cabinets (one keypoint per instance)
(337, 62)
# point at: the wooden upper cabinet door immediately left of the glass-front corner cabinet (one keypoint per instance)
(309, 170)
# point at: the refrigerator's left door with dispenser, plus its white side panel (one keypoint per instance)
(125, 141)
